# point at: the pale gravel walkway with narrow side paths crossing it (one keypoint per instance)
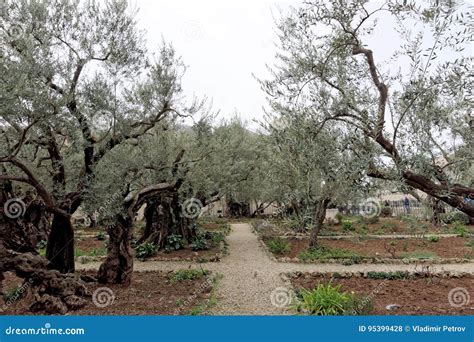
(252, 282)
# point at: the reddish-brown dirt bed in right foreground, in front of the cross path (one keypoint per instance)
(422, 296)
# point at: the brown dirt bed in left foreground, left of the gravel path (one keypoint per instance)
(151, 293)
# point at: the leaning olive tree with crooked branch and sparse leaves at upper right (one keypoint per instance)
(411, 112)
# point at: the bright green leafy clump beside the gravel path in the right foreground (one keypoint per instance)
(331, 300)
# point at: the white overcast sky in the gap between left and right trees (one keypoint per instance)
(222, 42)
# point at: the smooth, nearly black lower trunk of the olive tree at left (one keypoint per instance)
(60, 248)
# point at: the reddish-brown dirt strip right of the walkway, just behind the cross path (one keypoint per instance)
(446, 247)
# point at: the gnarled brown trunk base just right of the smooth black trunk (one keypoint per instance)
(118, 266)
